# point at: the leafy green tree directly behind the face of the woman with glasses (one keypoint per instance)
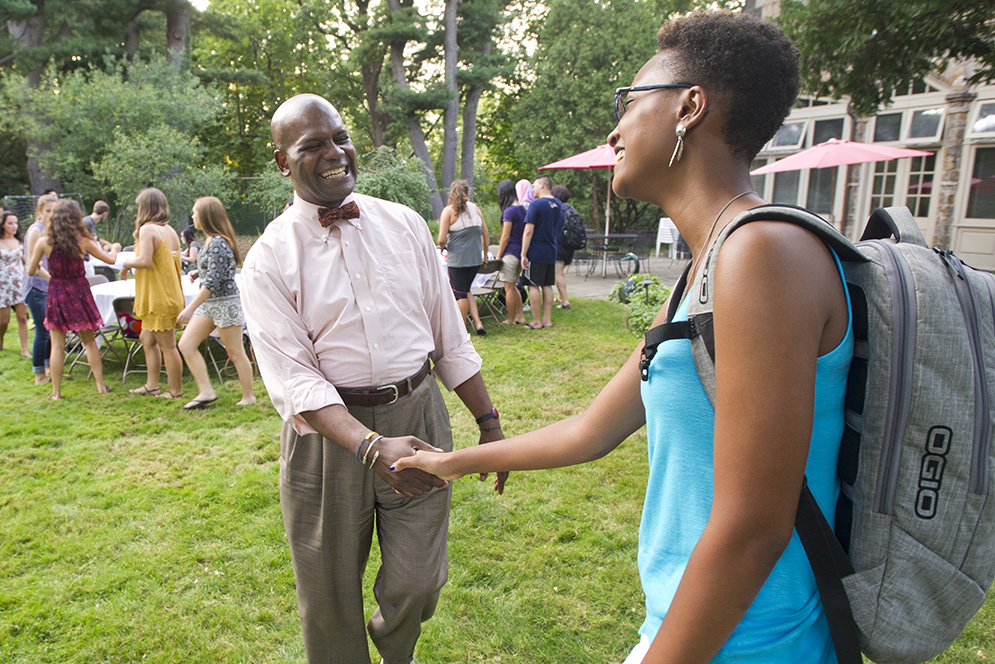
(562, 103)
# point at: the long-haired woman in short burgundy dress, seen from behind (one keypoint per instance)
(70, 305)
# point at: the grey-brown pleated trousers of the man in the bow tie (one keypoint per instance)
(331, 504)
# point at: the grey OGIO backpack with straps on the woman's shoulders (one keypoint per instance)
(913, 553)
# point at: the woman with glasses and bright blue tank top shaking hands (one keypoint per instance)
(725, 579)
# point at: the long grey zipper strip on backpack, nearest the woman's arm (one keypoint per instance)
(902, 362)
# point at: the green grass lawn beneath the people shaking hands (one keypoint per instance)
(131, 530)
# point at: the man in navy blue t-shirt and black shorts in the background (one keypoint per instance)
(543, 227)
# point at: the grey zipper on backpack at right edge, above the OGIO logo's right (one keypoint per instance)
(978, 482)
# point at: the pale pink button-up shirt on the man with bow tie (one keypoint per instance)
(360, 303)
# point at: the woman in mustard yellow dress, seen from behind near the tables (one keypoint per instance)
(158, 293)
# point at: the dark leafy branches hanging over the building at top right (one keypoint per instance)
(867, 50)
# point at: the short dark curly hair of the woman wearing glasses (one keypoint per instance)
(746, 62)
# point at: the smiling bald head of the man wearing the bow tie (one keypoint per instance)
(313, 148)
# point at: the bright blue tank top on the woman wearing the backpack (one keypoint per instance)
(785, 624)
